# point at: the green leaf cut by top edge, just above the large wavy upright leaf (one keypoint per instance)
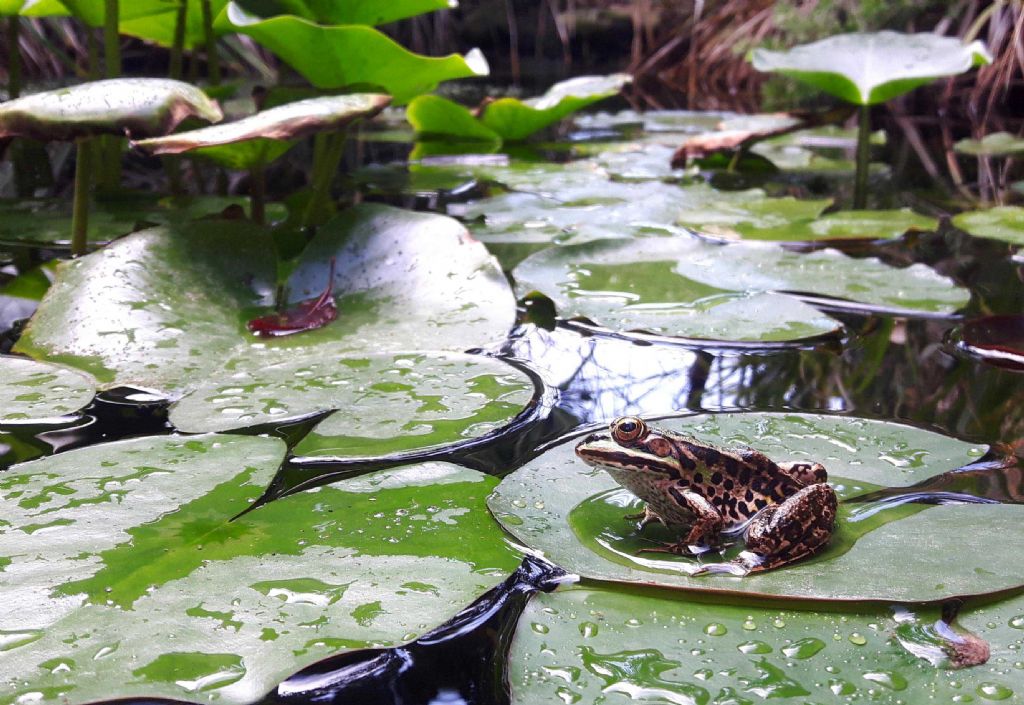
(351, 13)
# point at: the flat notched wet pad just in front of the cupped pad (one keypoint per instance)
(388, 403)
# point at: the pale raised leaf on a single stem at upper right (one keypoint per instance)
(867, 69)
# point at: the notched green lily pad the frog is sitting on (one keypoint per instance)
(898, 553)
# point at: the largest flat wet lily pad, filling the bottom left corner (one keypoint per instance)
(123, 576)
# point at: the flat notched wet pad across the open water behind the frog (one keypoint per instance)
(676, 287)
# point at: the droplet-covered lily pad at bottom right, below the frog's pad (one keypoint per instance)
(596, 646)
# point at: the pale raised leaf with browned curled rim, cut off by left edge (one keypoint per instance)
(140, 107)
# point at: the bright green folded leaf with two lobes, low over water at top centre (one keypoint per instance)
(510, 119)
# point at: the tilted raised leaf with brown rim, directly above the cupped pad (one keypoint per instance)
(263, 138)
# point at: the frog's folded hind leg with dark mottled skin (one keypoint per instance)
(783, 533)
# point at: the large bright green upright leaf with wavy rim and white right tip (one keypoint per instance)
(351, 56)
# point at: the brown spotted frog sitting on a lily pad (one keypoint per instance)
(785, 512)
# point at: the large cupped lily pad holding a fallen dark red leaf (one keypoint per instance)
(167, 308)
